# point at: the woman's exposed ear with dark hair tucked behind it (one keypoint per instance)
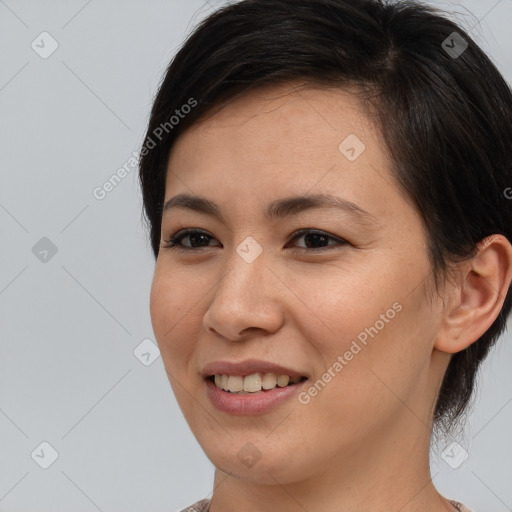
(475, 300)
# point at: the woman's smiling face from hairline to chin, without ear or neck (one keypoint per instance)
(333, 293)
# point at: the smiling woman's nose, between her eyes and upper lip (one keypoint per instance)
(248, 298)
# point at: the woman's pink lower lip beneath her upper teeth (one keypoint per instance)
(253, 403)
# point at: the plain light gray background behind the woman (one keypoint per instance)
(70, 325)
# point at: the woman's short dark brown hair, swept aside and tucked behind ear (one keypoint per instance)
(444, 111)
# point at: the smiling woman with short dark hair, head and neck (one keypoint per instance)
(326, 188)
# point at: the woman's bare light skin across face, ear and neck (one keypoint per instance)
(362, 443)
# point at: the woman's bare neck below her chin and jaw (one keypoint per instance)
(390, 473)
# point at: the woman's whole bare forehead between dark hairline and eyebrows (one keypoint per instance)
(282, 140)
